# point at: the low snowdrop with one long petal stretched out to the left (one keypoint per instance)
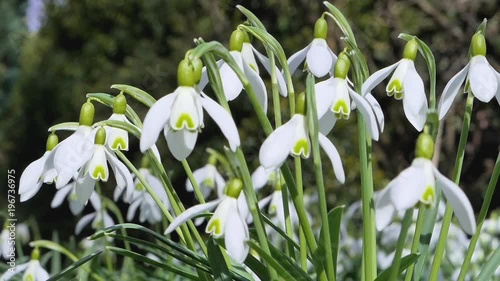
(228, 221)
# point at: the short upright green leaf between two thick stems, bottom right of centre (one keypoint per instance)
(334, 222)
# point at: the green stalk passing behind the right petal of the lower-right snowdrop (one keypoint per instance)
(438, 254)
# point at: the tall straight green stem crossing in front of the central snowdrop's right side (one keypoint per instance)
(318, 170)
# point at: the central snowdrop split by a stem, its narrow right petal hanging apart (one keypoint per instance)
(293, 138)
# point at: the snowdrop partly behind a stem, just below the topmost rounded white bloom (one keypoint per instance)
(333, 100)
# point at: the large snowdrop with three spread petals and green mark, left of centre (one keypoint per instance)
(180, 115)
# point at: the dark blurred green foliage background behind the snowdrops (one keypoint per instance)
(86, 46)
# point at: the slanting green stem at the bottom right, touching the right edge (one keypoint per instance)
(482, 216)
